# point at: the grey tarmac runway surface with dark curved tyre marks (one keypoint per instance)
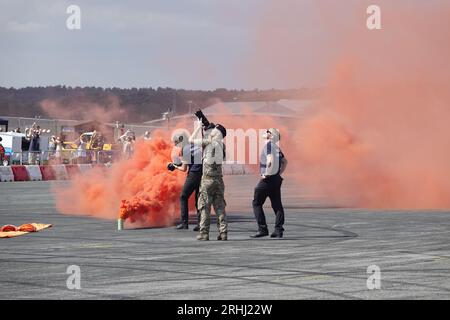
(324, 255)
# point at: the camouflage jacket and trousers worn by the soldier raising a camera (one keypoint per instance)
(212, 190)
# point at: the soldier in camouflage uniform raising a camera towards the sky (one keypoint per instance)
(212, 188)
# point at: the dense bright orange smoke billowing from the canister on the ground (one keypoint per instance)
(140, 189)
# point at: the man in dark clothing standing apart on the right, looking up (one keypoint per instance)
(272, 165)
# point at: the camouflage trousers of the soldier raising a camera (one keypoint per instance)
(212, 191)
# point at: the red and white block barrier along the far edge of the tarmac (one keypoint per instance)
(69, 171)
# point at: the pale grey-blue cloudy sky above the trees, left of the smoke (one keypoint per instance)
(189, 43)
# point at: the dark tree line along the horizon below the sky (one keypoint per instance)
(139, 104)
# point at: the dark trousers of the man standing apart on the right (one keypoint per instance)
(269, 187)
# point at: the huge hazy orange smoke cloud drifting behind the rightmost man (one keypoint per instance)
(380, 135)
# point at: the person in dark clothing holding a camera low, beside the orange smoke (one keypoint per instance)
(190, 161)
